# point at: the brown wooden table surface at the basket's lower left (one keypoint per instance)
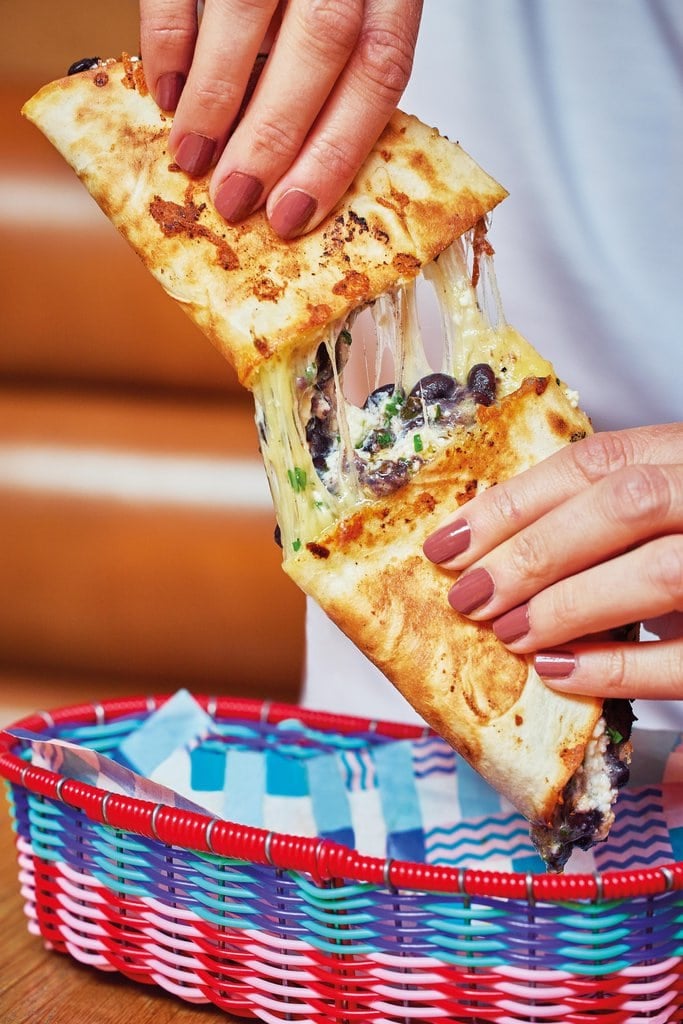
(42, 988)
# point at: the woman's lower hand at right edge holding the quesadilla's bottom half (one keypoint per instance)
(588, 541)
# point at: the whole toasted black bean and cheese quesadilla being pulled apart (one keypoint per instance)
(358, 490)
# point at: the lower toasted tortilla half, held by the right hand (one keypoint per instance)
(370, 576)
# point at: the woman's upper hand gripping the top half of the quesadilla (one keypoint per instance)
(335, 72)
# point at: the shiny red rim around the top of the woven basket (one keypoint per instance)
(323, 860)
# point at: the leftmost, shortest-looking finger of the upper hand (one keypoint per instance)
(168, 32)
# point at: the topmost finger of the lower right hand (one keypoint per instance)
(497, 514)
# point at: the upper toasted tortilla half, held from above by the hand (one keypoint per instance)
(251, 293)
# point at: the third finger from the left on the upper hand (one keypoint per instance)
(313, 48)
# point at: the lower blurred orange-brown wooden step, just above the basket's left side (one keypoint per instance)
(138, 543)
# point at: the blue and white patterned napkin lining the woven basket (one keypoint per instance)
(412, 800)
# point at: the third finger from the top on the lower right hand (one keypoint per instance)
(637, 585)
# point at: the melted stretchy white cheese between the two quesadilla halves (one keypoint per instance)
(307, 504)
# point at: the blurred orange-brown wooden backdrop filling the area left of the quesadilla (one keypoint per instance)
(137, 551)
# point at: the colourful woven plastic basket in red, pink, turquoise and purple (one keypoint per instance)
(282, 928)
